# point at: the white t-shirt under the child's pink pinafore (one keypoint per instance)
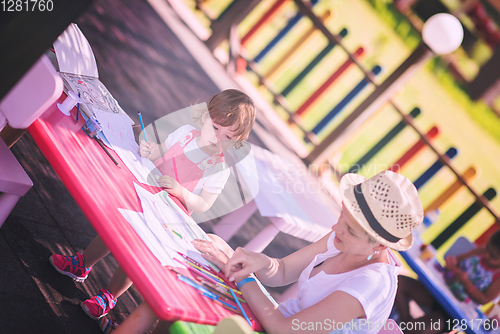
(214, 183)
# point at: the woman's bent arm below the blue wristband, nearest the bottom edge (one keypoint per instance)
(337, 308)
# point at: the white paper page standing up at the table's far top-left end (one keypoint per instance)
(74, 53)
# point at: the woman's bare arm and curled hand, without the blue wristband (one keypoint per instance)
(270, 271)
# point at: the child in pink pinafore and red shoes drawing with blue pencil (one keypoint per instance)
(193, 171)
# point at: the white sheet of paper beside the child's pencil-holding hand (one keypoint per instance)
(119, 133)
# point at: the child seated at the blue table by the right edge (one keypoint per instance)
(477, 274)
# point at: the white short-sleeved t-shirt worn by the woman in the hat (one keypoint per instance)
(374, 286)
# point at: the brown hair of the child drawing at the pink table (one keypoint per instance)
(231, 107)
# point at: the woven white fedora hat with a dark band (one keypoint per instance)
(387, 206)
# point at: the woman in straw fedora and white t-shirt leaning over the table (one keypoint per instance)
(347, 279)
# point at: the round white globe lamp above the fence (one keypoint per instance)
(443, 33)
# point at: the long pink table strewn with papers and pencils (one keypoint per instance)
(99, 187)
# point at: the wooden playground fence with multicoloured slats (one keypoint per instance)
(324, 135)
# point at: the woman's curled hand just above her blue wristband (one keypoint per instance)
(245, 262)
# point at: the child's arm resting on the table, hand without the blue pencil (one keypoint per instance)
(192, 202)
